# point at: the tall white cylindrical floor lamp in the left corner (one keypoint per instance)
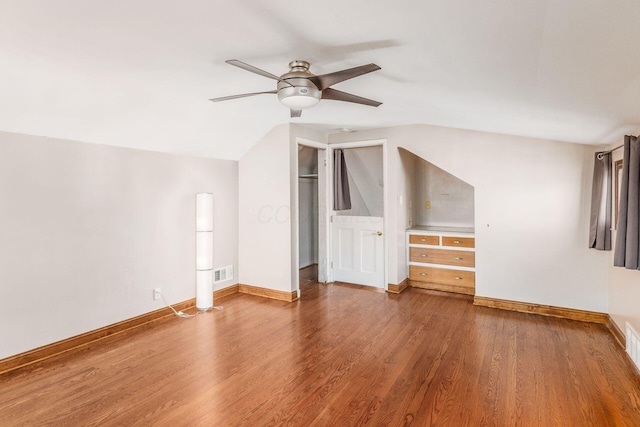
(204, 252)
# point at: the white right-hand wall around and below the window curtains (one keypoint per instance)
(624, 285)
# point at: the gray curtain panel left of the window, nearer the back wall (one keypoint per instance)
(600, 225)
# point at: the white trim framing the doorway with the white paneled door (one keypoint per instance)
(385, 200)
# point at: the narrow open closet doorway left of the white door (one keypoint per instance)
(312, 214)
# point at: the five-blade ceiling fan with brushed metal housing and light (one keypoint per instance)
(299, 88)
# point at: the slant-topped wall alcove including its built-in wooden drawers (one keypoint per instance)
(440, 239)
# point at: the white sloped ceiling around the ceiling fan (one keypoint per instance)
(138, 73)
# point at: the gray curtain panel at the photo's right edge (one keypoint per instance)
(627, 238)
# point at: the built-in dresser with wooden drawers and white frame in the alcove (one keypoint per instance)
(442, 258)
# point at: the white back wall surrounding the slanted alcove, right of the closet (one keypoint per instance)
(531, 211)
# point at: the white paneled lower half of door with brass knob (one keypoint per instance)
(358, 250)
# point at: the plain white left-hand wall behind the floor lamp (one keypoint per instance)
(87, 231)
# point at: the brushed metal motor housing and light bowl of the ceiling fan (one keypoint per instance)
(296, 91)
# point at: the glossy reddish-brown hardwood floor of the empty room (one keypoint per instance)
(340, 355)
